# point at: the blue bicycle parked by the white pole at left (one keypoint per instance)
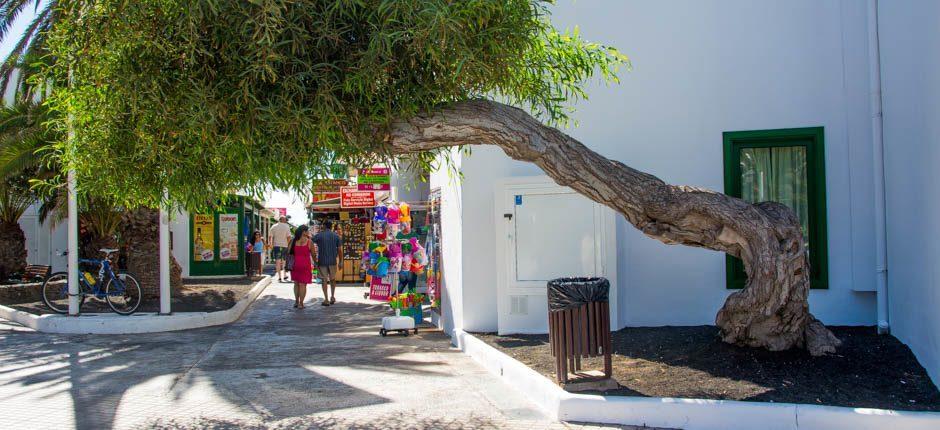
(121, 290)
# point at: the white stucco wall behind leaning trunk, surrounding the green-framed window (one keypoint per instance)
(701, 69)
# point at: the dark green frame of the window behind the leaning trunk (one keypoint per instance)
(812, 138)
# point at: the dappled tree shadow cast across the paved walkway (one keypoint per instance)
(98, 371)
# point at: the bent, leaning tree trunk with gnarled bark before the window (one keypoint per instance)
(771, 311)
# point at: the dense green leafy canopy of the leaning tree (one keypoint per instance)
(203, 97)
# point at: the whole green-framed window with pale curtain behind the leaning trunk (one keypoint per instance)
(785, 166)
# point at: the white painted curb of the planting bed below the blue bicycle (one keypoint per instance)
(137, 323)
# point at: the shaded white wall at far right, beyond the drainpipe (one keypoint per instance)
(910, 41)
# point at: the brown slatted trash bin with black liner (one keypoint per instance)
(579, 326)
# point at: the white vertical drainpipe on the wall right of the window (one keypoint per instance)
(878, 149)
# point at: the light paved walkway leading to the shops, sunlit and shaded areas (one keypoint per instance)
(323, 367)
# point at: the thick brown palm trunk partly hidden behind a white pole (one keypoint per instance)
(140, 231)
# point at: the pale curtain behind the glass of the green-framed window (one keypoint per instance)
(777, 174)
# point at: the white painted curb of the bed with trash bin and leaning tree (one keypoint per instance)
(688, 414)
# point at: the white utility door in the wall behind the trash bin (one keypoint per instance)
(546, 231)
